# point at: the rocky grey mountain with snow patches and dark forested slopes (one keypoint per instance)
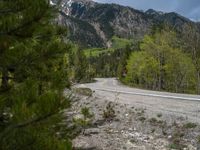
(93, 24)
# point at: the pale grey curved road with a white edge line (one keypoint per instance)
(171, 105)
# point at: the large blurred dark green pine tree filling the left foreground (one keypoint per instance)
(33, 76)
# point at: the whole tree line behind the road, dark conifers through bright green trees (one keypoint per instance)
(165, 60)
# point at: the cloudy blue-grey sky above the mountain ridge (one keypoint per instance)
(187, 8)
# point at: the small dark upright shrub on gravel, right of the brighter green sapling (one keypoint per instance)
(109, 112)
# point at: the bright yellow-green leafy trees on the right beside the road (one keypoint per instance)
(164, 62)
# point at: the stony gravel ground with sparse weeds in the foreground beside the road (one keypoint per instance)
(134, 127)
